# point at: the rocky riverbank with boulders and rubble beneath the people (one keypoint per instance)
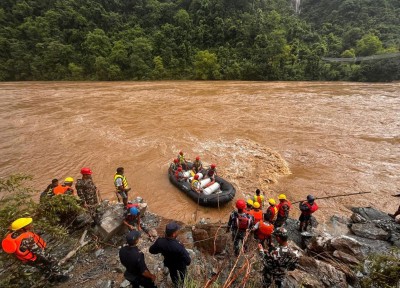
(338, 254)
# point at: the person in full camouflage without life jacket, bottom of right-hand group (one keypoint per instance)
(278, 260)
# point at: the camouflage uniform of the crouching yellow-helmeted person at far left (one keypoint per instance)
(44, 262)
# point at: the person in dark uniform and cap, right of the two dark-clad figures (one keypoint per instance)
(176, 258)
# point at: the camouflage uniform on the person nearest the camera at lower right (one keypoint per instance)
(277, 261)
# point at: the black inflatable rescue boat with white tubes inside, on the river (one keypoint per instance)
(214, 195)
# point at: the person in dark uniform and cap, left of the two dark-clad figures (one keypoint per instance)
(132, 258)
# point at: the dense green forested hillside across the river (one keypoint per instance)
(197, 39)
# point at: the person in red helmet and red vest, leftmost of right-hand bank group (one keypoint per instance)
(239, 223)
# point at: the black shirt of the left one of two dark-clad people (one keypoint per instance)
(133, 260)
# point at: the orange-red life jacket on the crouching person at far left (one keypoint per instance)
(12, 245)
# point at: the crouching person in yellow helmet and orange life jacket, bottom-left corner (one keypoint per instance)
(29, 248)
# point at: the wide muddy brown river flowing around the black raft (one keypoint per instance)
(297, 138)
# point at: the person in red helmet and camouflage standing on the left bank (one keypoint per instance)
(87, 191)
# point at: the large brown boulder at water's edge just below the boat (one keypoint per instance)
(210, 238)
